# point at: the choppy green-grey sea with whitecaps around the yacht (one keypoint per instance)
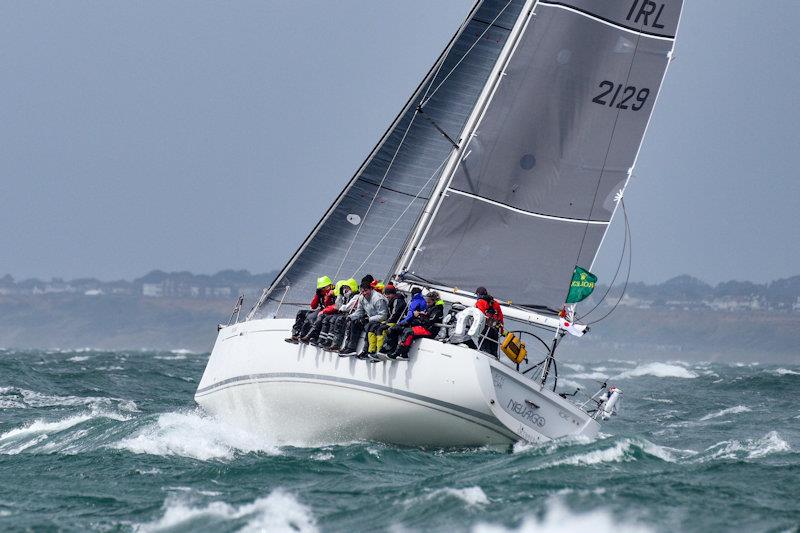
(113, 441)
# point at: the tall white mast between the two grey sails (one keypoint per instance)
(438, 192)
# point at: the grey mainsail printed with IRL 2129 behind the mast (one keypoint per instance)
(534, 191)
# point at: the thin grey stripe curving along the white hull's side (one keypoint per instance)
(243, 380)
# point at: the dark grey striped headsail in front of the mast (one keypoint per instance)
(369, 223)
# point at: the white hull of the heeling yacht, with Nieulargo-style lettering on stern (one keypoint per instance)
(445, 395)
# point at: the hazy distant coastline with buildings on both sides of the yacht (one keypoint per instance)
(682, 318)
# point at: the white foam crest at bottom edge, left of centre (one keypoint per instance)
(280, 511)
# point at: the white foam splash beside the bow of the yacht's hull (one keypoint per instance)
(196, 435)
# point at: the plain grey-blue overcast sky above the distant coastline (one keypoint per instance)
(208, 135)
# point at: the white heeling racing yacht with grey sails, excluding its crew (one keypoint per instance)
(504, 169)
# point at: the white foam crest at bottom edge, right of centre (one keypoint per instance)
(559, 519)
